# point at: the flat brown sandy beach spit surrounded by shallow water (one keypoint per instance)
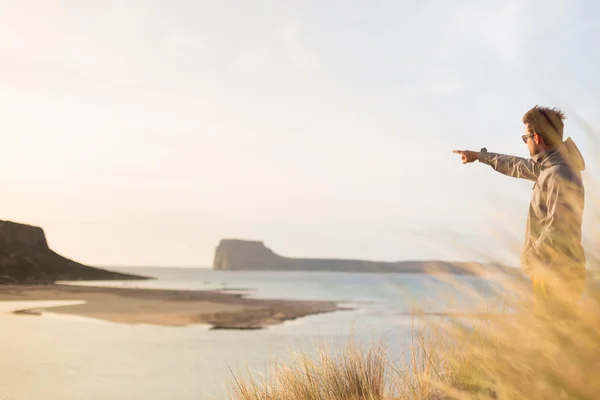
(166, 307)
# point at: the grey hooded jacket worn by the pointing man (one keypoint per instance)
(553, 235)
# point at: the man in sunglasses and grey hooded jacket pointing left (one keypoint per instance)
(553, 256)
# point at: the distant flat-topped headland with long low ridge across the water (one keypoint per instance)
(233, 254)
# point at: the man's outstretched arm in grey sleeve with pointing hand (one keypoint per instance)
(515, 167)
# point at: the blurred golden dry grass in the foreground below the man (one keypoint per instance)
(523, 353)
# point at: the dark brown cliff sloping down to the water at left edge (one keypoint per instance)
(26, 258)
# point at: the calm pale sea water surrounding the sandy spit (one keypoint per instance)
(74, 358)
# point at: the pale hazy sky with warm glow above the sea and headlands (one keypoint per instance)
(140, 133)
